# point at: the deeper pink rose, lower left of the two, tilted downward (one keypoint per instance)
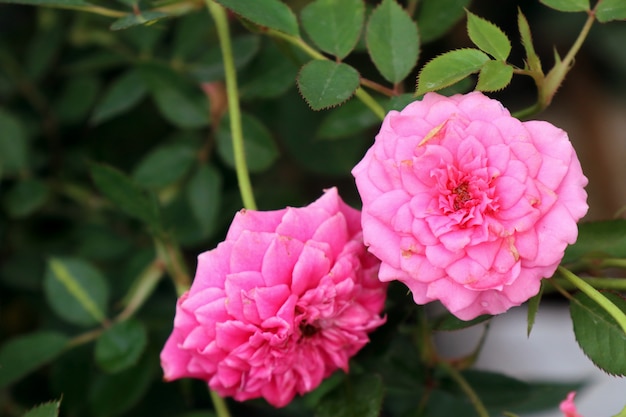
(282, 303)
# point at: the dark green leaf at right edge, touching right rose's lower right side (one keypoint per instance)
(601, 239)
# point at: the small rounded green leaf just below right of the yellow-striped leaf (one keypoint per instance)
(121, 345)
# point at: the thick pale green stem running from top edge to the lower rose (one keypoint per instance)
(234, 112)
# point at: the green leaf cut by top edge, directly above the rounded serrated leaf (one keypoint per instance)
(334, 25)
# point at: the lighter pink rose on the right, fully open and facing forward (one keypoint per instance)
(466, 204)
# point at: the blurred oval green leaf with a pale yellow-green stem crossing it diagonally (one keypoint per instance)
(76, 291)
